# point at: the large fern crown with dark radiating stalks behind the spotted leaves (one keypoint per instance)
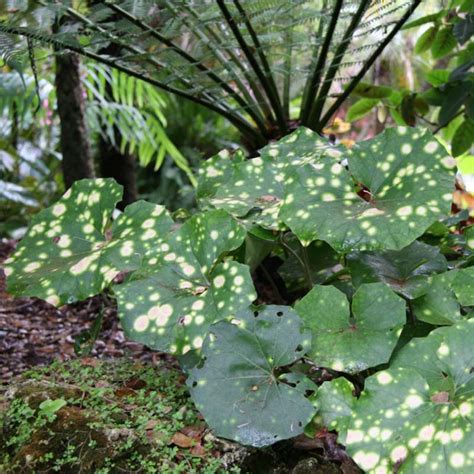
(245, 59)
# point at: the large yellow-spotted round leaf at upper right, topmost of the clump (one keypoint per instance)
(406, 189)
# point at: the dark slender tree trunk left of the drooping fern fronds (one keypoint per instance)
(75, 146)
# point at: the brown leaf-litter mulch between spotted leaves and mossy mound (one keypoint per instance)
(34, 333)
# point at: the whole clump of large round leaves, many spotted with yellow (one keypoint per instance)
(316, 287)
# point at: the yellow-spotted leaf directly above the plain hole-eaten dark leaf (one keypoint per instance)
(183, 288)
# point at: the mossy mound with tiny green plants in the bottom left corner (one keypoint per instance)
(103, 417)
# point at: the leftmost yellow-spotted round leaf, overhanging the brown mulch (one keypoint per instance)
(70, 253)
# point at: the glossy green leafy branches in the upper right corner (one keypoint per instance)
(446, 45)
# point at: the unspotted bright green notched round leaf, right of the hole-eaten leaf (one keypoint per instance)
(352, 343)
